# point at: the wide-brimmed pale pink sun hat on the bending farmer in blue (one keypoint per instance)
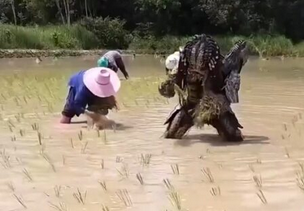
(101, 81)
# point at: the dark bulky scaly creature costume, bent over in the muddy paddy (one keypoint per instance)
(207, 83)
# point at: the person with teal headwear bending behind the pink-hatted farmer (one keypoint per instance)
(115, 62)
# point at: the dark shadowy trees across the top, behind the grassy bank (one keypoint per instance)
(163, 17)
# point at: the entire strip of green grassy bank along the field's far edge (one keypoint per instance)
(77, 37)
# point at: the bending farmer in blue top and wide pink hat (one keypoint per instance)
(91, 90)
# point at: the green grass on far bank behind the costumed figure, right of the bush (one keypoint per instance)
(258, 45)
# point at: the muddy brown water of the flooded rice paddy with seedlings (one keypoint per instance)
(44, 164)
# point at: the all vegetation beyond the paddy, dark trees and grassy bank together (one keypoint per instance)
(271, 26)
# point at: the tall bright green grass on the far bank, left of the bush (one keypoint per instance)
(49, 37)
